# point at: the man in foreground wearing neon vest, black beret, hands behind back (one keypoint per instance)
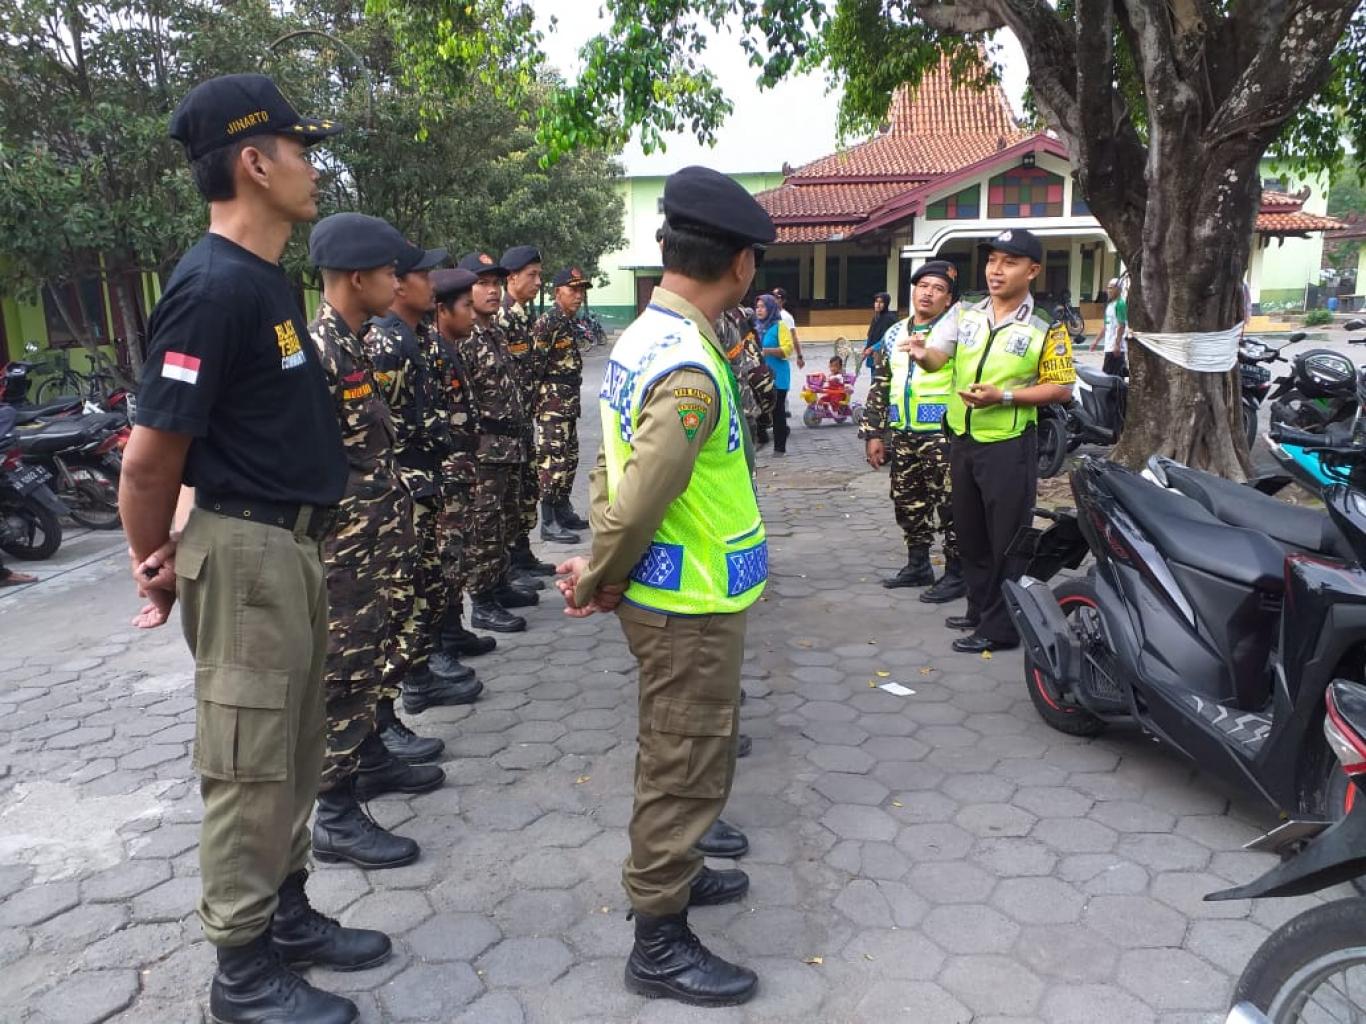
(680, 554)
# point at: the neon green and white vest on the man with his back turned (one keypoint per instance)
(710, 555)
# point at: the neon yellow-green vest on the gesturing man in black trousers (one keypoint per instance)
(1007, 357)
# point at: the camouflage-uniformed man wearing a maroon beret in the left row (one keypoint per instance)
(453, 324)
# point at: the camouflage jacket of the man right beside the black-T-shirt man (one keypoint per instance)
(375, 494)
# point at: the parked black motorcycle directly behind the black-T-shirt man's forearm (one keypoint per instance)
(83, 455)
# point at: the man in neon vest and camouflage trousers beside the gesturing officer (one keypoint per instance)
(919, 451)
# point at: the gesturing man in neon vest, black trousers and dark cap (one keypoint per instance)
(1010, 357)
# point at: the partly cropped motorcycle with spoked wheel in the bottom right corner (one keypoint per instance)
(1313, 967)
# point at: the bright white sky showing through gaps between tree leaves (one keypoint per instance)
(798, 115)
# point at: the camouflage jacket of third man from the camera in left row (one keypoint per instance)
(404, 375)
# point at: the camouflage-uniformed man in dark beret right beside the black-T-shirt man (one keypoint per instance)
(370, 559)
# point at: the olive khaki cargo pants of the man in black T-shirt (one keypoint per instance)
(255, 611)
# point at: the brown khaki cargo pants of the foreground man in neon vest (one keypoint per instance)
(685, 764)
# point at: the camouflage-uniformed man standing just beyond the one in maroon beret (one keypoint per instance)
(503, 450)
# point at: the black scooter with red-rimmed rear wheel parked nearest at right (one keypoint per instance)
(1207, 634)
